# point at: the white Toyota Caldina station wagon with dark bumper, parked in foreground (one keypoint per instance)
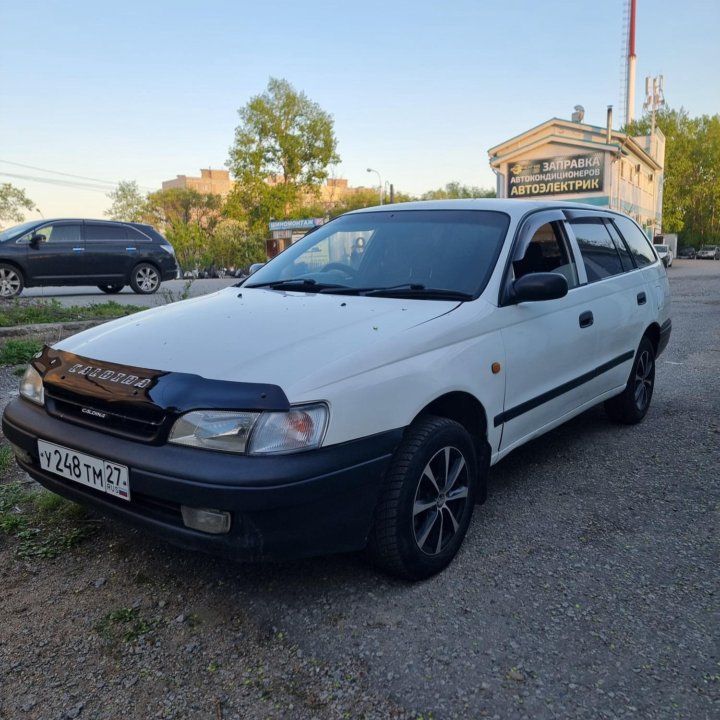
(353, 392)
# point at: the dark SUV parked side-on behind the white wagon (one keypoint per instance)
(84, 252)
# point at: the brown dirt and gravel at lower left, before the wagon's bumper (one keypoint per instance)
(124, 626)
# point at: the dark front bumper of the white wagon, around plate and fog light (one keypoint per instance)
(312, 503)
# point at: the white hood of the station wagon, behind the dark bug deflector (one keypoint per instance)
(288, 339)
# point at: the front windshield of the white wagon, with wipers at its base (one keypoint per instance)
(426, 254)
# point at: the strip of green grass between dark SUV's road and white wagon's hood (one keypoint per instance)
(20, 311)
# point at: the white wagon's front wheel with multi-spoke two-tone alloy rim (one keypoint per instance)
(425, 508)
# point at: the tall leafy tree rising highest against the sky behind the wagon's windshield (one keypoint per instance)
(283, 147)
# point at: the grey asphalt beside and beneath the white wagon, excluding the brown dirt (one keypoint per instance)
(587, 586)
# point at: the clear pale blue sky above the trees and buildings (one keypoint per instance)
(418, 90)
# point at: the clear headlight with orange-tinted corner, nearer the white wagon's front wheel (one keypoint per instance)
(300, 428)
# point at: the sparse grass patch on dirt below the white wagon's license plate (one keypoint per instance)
(44, 524)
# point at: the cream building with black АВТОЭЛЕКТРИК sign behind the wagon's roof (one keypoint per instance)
(585, 163)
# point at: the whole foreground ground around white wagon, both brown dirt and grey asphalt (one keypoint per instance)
(587, 588)
